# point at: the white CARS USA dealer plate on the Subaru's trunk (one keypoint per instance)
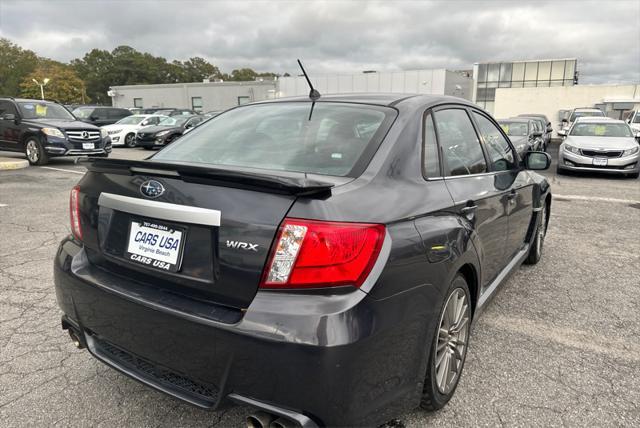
(155, 245)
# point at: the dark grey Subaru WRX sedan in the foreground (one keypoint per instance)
(318, 260)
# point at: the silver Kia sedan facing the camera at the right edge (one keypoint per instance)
(602, 145)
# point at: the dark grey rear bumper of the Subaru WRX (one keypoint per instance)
(344, 359)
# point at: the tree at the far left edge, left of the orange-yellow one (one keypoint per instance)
(15, 64)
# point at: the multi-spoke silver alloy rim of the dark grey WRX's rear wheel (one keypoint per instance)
(451, 345)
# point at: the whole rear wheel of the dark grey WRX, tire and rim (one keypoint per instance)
(439, 387)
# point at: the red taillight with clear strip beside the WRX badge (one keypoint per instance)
(318, 254)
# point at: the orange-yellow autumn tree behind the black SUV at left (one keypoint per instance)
(64, 84)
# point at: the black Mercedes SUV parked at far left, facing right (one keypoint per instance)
(43, 129)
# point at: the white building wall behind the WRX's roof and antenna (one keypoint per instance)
(437, 82)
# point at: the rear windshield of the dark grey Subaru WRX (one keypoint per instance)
(339, 138)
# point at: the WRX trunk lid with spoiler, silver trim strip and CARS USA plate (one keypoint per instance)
(213, 228)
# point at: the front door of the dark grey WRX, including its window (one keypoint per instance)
(510, 177)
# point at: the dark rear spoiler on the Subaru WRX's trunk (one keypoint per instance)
(289, 183)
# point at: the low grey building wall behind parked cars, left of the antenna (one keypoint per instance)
(215, 96)
